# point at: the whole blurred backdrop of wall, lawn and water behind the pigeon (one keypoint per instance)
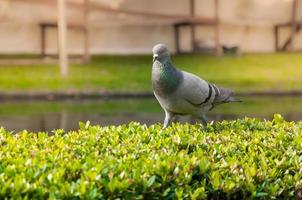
(65, 61)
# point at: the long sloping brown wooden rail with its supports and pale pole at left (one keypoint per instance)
(63, 26)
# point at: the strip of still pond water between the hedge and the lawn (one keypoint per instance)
(47, 116)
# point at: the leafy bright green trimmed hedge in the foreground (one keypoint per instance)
(246, 158)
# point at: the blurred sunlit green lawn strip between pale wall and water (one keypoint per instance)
(253, 72)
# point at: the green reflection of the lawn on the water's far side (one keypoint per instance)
(251, 106)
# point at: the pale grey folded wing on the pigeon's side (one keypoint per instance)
(195, 90)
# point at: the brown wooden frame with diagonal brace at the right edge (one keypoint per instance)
(295, 27)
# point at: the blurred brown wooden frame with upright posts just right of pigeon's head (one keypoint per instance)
(192, 23)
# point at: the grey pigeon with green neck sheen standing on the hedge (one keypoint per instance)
(182, 93)
